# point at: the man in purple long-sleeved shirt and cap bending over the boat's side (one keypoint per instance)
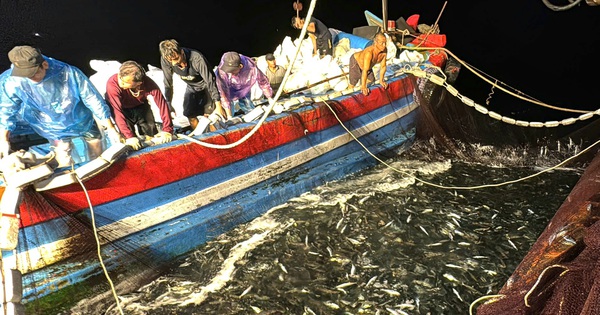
(236, 75)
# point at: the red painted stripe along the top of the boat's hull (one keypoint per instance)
(148, 170)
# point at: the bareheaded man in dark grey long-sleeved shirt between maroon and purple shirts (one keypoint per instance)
(201, 96)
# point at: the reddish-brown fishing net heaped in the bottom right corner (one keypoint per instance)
(559, 274)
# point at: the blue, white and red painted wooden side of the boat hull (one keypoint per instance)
(162, 202)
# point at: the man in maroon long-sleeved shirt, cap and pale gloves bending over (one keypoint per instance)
(131, 93)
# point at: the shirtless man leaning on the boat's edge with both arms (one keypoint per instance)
(362, 62)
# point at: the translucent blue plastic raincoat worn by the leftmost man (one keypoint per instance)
(60, 106)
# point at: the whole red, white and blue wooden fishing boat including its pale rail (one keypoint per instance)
(62, 227)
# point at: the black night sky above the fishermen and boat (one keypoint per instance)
(546, 54)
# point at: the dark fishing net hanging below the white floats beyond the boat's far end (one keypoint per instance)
(453, 127)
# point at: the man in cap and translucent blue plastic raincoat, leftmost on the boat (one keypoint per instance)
(56, 99)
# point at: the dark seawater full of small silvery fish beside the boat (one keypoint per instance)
(379, 242)
